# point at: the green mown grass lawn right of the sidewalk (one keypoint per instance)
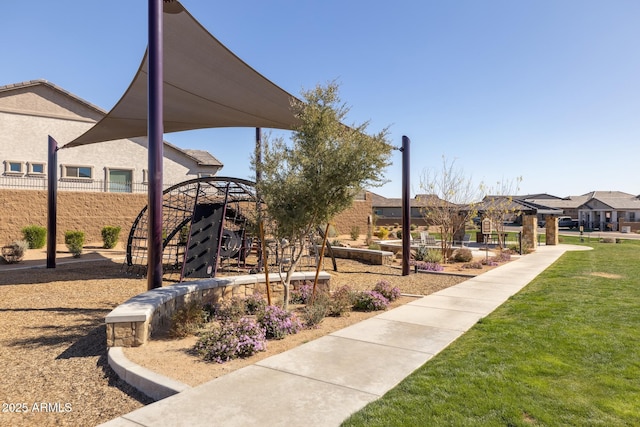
(565, 351)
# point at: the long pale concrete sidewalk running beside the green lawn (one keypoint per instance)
(322, 382)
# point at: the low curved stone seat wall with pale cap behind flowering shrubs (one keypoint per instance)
(132, 322)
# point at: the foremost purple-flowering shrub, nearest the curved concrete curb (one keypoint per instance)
(232, 340)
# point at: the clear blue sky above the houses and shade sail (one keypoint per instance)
(548, 90)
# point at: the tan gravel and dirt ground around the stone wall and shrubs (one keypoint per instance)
(52, 337)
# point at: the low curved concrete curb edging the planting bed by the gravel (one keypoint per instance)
(150, 383)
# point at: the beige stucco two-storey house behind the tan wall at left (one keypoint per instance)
(33, 110)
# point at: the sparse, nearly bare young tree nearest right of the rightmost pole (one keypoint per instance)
(448, 203)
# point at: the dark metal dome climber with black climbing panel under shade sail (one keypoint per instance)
(206, 221)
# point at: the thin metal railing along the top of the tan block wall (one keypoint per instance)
(70, 184)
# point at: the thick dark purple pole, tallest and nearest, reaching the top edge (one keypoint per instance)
(155, 131)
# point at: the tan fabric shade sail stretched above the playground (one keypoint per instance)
(205, 86)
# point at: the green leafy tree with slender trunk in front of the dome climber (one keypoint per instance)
(306, 181)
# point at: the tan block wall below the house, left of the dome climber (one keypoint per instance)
(88, 212)
